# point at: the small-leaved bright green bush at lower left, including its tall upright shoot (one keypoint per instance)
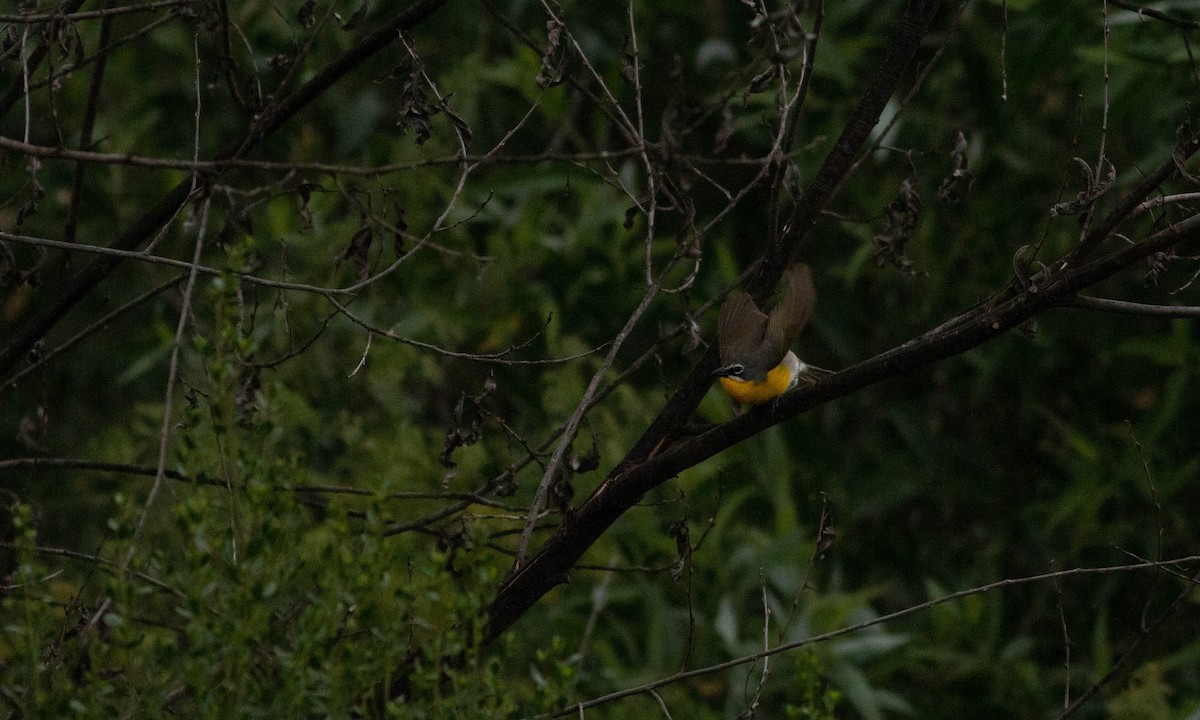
(253, 599)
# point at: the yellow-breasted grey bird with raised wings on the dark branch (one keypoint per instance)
(758, 364)
